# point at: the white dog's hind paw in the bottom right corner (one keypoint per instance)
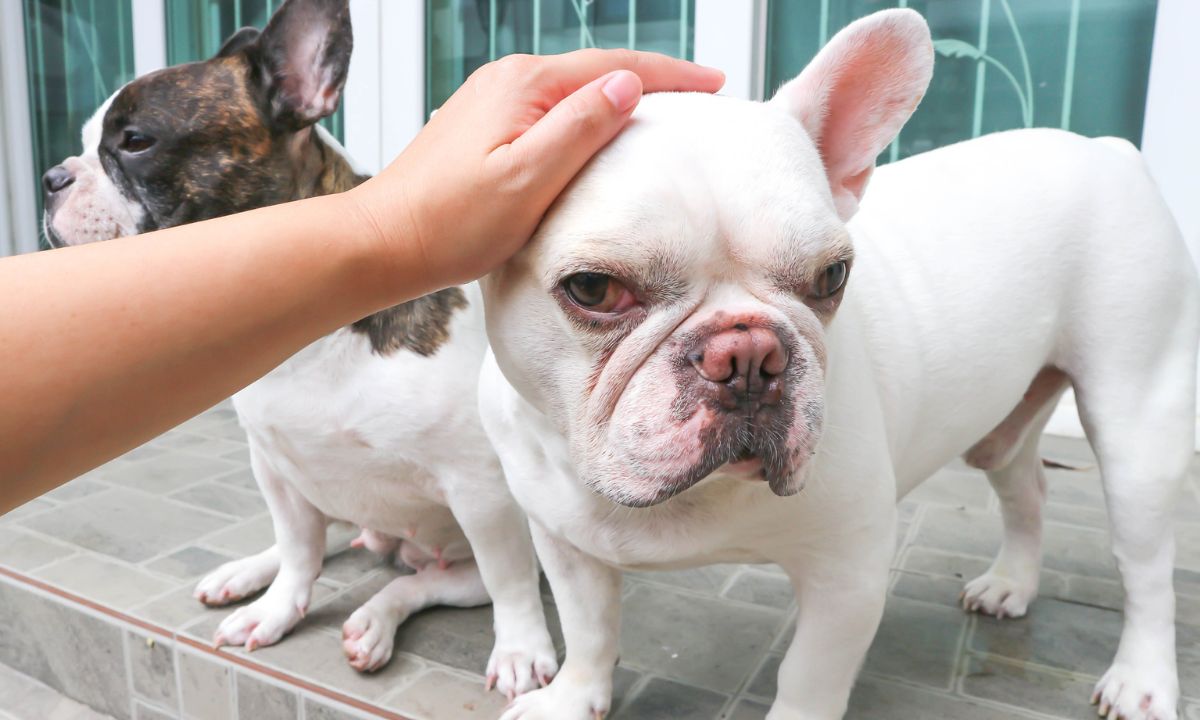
(1138, 692)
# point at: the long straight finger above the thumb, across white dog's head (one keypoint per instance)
(658, 73)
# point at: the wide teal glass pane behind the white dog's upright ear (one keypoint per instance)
(1001, 64)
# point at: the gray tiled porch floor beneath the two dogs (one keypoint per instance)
(133, 538)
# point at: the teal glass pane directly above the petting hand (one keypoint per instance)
(461, 35)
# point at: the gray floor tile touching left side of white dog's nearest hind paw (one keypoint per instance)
(1059, 695)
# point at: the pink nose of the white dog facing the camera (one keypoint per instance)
(747, 363)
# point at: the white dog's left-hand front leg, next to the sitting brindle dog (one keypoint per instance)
(589, 597)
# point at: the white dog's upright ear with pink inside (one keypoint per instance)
(857, 94)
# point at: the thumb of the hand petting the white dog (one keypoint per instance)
(567, 137)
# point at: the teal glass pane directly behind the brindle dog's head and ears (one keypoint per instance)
(196, 29)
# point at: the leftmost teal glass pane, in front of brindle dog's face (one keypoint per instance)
(79, 53)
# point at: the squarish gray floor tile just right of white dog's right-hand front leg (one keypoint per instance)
(917, 643)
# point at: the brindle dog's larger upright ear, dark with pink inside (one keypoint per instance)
(302, 59)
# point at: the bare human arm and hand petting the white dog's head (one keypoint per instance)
(105, 346)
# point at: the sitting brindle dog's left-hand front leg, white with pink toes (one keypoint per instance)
(301, 545)
